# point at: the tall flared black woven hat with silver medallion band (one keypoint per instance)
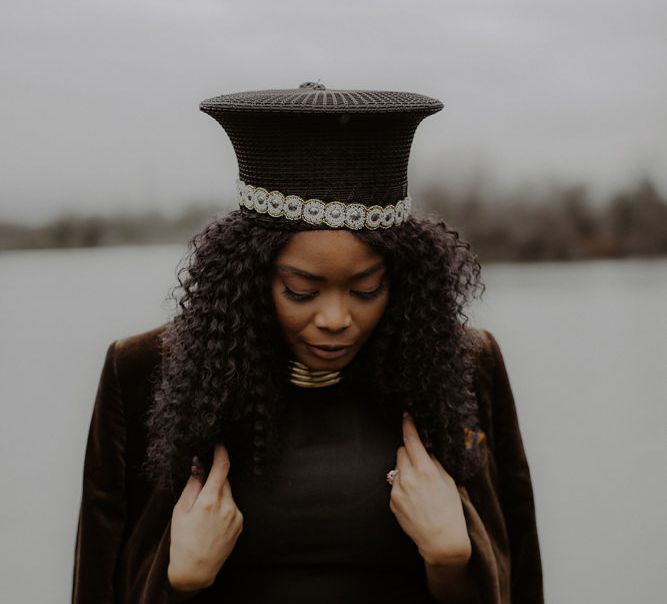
(312, 158)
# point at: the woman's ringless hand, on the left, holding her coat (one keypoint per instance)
(205, 525)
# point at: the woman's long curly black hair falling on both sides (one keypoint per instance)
(224, 372)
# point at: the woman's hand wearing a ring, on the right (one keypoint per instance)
(427, 504)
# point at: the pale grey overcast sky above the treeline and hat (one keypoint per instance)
(99, 100)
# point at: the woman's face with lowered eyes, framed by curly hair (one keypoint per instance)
(330, 290)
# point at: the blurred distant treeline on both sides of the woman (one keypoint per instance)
(562, 225)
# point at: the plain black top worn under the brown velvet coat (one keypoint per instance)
(325, 532)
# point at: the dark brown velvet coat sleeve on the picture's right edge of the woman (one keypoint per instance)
(515, 491)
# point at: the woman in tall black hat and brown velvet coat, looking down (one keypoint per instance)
(317, 422)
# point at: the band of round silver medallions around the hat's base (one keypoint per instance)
(335, 214)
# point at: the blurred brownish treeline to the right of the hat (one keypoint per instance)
(561, 225)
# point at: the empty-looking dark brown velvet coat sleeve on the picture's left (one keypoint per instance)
(102, 512)
